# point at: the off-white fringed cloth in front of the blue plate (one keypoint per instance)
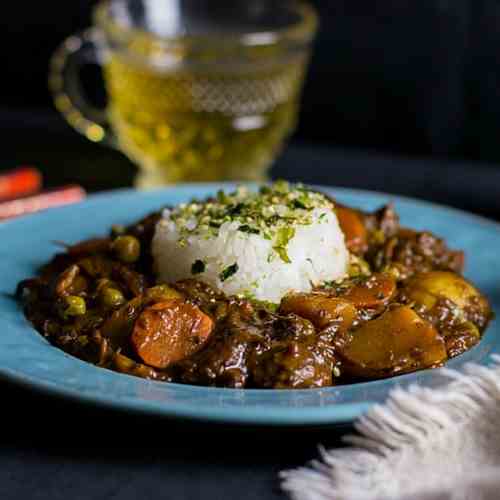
(422, 444)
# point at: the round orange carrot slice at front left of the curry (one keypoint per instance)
(169, 331)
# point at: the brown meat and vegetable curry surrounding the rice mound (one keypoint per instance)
(404, 307)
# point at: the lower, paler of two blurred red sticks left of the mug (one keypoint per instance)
(51, 198)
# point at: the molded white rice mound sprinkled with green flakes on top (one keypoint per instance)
(241, 262)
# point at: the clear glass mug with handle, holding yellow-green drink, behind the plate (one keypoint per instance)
(195, 93)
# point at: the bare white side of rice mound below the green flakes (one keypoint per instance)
(317, 253)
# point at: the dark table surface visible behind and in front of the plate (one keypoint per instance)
(54, 449)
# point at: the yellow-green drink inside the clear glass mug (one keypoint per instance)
(202, 124)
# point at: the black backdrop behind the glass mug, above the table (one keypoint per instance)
(418, 77)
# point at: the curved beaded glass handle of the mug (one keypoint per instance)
(64, 83)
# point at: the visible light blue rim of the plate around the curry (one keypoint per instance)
(26, 357)
